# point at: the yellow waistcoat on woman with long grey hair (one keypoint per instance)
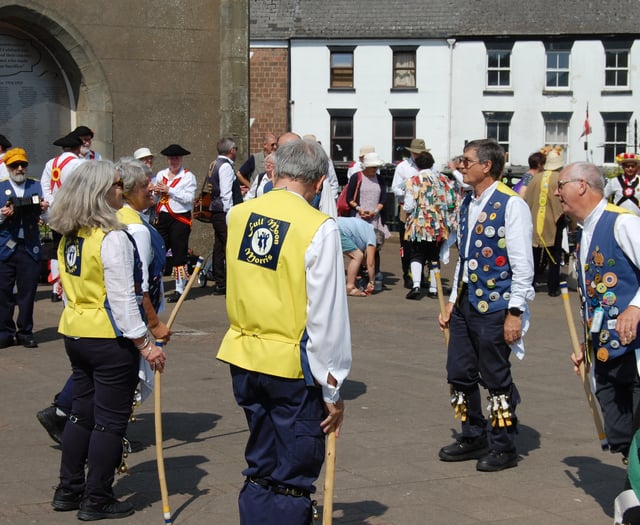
(86, 313)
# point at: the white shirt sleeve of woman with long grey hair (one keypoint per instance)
(117, 257)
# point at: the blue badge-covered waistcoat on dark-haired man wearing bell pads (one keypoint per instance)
(489, 271)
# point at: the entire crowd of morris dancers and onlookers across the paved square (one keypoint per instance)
(118, 227)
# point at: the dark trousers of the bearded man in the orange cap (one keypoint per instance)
(21, 270)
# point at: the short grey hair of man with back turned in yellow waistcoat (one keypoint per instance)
(302, 160)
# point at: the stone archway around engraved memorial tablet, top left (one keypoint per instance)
(48, 63)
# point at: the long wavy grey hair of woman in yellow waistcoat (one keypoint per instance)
(81, 202)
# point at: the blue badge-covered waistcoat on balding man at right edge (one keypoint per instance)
(610, 281)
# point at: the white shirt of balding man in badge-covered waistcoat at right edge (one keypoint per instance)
(625, 232)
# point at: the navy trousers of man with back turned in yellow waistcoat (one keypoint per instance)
(286, 446)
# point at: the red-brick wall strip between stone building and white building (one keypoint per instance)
(269, 97)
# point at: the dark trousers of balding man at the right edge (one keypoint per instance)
(618, 392)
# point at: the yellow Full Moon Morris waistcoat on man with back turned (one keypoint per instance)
(266, 283)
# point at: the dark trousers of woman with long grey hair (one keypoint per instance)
(105, 375)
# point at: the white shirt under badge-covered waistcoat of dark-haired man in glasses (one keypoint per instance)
(518, 234)
